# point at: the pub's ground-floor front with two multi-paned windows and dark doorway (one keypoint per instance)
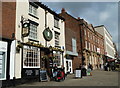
(37, 59)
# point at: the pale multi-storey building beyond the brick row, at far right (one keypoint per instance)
(108, 42)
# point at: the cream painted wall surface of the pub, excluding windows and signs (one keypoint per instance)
(22, 9)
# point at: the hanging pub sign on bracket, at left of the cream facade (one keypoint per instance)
(25, 29)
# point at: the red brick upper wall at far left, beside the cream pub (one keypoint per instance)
(8, 19)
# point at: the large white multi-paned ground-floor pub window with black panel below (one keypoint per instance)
(31, 62)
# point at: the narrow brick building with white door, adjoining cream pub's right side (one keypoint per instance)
(72, 42)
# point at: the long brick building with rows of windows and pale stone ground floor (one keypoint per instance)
(93, 45)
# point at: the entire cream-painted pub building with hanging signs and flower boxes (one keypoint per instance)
(41, 44)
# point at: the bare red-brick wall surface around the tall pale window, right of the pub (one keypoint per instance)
(72, 30)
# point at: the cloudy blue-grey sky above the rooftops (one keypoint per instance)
(96, 13)
